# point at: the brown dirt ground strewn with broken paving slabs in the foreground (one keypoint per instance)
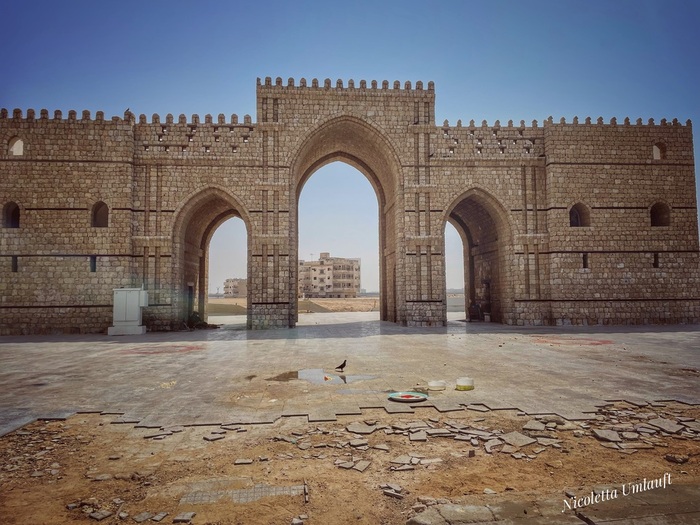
(87, 462)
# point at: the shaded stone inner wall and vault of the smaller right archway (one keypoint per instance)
(483, 228)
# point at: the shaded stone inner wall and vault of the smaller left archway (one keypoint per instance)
(196, 222)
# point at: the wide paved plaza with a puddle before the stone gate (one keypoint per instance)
(230, 375)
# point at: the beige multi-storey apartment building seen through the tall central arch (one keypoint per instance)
(329, 277)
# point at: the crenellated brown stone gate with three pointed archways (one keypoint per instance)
(580, 222)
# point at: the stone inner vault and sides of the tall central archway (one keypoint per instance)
(365, 147)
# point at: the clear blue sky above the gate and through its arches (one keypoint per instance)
(489, 60)
